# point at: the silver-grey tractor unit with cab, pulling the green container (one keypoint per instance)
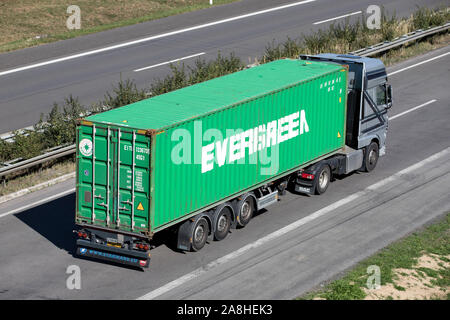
(369, 97)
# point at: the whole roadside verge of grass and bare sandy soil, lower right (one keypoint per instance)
(416, 267)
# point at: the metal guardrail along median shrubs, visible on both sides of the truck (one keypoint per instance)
(62, 151)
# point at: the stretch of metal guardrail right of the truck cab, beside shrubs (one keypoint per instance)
(400, 41)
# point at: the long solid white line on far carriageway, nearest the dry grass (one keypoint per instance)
(155, 37)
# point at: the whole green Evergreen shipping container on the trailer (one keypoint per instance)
(154, 163)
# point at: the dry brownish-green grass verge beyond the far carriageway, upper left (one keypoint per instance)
(29, 23)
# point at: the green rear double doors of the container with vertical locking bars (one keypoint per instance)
(109, 160)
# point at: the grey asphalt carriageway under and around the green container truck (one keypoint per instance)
(37, 246)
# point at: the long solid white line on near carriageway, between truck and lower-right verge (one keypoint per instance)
(329, 209)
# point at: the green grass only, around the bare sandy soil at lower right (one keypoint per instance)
(434, 239)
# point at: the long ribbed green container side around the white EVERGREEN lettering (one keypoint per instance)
(180, 188)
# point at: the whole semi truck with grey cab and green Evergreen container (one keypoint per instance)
(203, 159)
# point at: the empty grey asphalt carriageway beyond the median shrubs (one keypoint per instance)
(25, 94)
